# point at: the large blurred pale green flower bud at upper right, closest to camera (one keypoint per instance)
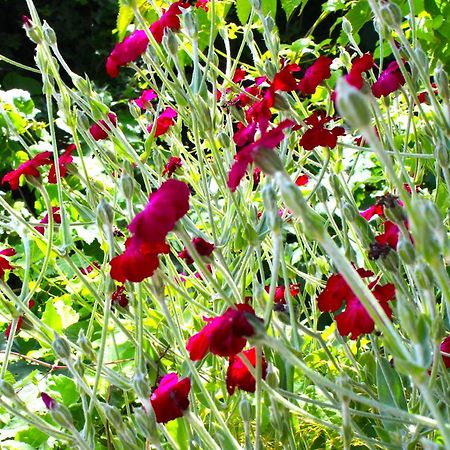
(352, 105)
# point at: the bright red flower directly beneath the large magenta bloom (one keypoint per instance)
(138, 261)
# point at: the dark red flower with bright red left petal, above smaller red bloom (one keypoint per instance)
(224, 335)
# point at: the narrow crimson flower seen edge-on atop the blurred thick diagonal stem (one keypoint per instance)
(268, 140)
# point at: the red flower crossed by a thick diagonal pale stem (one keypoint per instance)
(354, 320)
